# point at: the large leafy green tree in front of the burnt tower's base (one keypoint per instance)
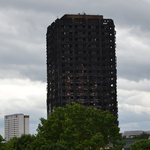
(75, 127)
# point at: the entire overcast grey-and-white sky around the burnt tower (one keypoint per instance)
(23, 28)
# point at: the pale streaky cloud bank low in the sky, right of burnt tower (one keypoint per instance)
(134, 104)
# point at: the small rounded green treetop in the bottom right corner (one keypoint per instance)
(141, 145)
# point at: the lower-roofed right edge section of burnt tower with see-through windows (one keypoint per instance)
(109, 66)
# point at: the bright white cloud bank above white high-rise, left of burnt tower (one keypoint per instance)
(23, 96)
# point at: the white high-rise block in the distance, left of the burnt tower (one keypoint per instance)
(16, 125)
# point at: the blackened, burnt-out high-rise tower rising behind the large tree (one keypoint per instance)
(81, 62)
